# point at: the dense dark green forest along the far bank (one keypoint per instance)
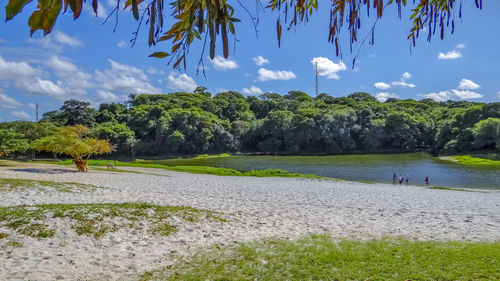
(295, 123)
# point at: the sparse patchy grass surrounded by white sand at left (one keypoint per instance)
(97, 220)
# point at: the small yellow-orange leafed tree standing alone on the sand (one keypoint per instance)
(75, 142)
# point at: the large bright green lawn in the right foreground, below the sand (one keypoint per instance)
(322, 258)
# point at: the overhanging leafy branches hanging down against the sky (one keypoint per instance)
(214, 19)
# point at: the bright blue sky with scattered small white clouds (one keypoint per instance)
(86, 60)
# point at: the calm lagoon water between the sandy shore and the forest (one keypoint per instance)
(375, 168)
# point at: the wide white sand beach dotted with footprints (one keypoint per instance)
(255, 208)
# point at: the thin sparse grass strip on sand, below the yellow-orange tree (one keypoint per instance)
(22, 184)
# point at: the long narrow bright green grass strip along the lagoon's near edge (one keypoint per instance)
(196, 169)
